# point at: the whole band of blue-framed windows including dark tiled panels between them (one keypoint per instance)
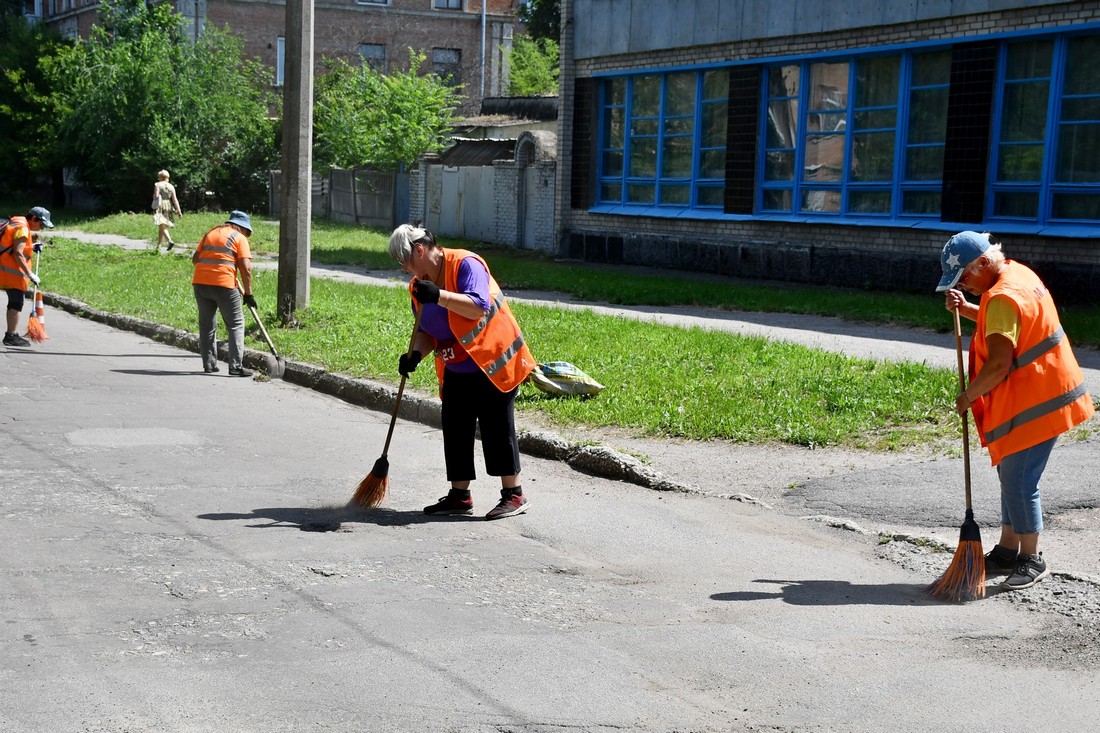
(865, 137)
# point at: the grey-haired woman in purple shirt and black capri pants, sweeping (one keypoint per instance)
(481, 360)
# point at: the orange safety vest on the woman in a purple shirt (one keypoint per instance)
(494, 342)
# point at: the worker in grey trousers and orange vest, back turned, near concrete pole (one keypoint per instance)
(222, 255)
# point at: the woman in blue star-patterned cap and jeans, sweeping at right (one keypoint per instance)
(1026, 389)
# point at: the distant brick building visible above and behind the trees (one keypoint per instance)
(467, 40)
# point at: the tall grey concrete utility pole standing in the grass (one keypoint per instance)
(298, 160)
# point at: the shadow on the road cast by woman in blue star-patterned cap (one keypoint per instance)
(835, 593)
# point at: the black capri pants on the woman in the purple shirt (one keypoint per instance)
(470, 400)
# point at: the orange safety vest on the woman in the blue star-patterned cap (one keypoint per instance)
(1044, 393)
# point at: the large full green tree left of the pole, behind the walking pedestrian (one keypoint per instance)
(140, 97)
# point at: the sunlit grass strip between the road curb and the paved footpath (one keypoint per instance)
(661, 381)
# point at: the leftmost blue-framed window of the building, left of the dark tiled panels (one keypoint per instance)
(664, 140)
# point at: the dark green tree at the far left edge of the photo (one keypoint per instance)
(28, 111)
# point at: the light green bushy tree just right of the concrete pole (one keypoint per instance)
(362, 117)
